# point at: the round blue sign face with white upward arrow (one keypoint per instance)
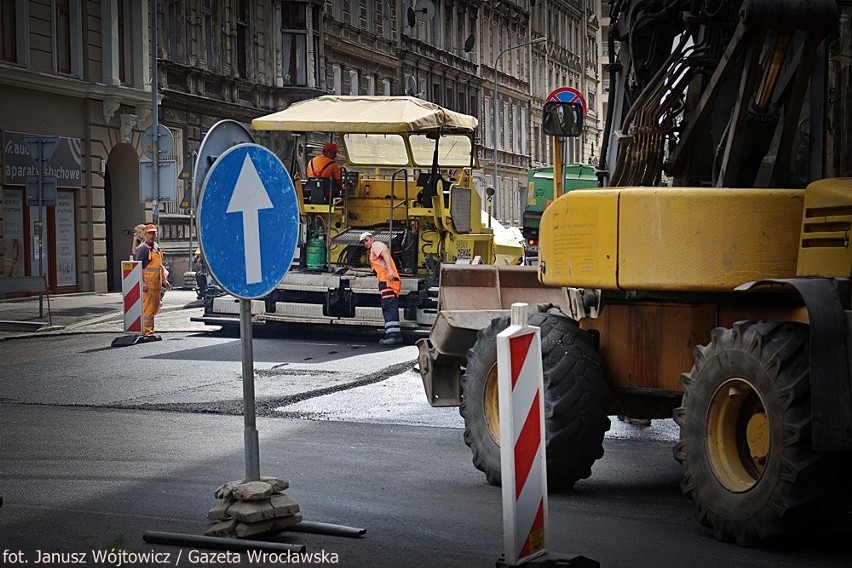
(248, 220)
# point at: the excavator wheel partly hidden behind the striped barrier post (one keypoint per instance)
(575, 399)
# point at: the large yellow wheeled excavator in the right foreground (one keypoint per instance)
(722, 299)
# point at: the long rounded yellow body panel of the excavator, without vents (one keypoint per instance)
(670, 239)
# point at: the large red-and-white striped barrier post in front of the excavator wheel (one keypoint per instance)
(522, 448)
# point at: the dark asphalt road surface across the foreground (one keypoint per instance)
(99, 445)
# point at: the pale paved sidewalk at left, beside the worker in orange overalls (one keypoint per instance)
(89, 312)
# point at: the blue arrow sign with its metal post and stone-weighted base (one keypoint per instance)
(248, 224)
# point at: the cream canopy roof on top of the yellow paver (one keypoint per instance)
(365, 114)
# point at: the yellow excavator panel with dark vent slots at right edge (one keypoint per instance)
(826, 228)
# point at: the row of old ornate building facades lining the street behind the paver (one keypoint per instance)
(79, 72)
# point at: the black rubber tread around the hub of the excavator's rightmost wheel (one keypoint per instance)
(795, 498)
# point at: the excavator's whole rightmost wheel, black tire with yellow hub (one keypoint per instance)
(745, 437)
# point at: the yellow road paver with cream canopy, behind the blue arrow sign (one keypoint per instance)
(408, 174)
